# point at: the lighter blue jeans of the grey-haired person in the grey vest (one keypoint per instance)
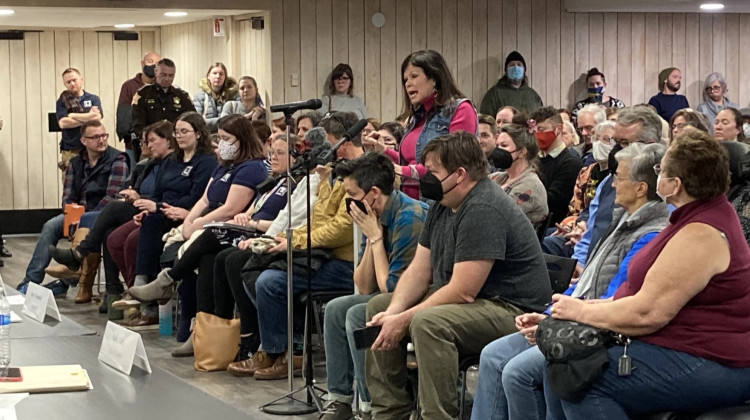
(504, 389)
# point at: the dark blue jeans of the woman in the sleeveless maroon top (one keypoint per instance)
(662, 380)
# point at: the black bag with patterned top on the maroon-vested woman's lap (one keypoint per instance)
(577, 355)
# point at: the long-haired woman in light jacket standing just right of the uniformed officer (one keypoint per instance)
(216, 89)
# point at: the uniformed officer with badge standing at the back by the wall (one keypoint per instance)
(158, 101)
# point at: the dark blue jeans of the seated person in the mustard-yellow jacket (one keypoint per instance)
(270, 298)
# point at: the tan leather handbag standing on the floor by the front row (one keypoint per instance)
(215, 341)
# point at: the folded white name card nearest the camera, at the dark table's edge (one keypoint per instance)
(122, 349)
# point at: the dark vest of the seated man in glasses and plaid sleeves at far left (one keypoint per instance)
(94, 186)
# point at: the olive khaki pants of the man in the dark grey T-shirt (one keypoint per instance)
(441, 335)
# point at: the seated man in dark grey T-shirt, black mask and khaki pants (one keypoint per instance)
(477, 266)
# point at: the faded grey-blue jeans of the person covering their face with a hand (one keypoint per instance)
(344, 362)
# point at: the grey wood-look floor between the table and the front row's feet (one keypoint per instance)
(245, 394)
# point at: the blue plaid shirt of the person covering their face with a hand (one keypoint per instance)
(402, 221)
